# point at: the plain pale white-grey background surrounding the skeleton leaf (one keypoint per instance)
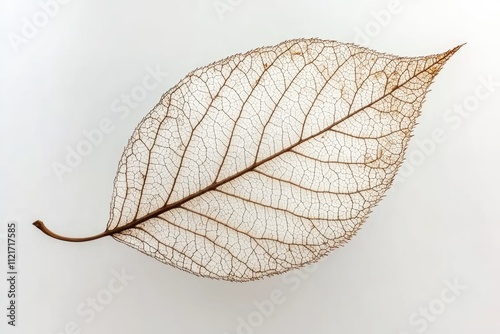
(439, 224)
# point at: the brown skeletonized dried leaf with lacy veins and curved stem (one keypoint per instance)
(266, 161)
